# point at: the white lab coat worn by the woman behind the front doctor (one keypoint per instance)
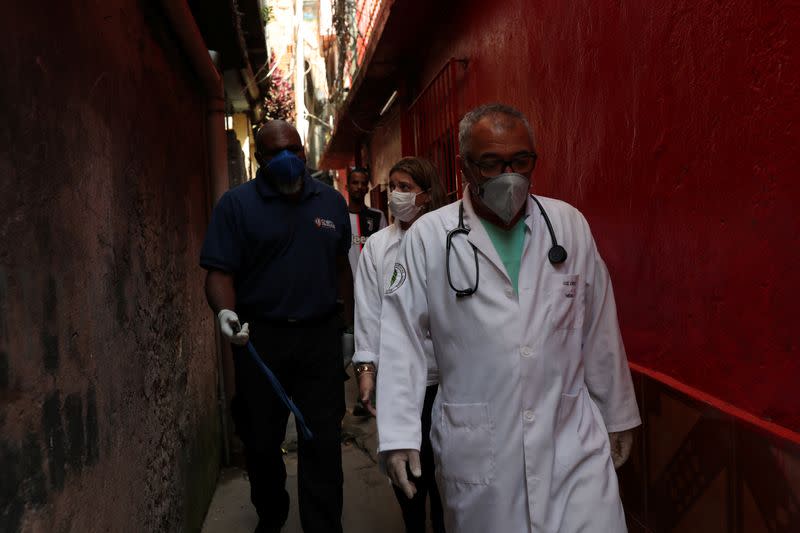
(372, 278)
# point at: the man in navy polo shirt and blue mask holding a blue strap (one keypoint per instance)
(276, 255)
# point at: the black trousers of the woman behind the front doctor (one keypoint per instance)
(414, 509)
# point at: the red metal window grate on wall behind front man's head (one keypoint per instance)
(432, 125)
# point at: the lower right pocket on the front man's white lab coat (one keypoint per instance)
(578, 433)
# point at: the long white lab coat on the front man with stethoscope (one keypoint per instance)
(529, 384)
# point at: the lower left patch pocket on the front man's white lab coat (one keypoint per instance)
(467, 443)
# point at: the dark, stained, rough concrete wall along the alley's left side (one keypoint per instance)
(108, 415)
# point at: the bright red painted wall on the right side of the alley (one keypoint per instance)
(672, 126)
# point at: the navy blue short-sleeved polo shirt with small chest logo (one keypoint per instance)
(281, 253)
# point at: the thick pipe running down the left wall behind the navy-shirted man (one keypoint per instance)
(180, 18)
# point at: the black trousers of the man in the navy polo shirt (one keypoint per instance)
(307, 360)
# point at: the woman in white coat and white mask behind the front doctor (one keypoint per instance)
(414, 189)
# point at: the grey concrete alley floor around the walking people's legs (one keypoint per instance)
(369, 503)
